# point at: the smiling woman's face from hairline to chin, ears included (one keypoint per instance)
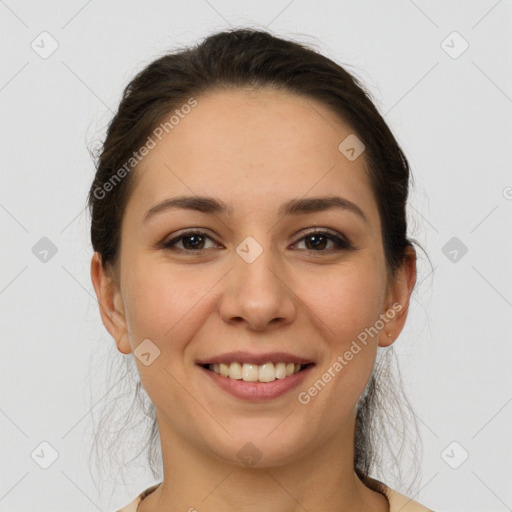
(254, 279)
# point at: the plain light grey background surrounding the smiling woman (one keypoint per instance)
(452, 117)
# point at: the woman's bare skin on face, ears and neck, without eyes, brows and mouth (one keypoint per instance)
(253, 150)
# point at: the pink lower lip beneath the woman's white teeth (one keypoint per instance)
(258, 391)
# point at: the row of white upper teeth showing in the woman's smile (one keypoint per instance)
(255, 373)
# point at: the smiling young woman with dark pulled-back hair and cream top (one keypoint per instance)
(249, 229)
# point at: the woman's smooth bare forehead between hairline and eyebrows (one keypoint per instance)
(254, 149)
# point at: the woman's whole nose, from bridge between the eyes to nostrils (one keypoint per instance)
(256, 291)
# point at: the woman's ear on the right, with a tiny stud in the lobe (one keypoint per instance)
(398, 298)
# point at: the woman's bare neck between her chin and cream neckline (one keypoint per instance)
(321, 479)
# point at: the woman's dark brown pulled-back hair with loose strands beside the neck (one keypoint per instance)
(256, 59)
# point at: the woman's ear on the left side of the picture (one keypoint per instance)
(110, 303)
